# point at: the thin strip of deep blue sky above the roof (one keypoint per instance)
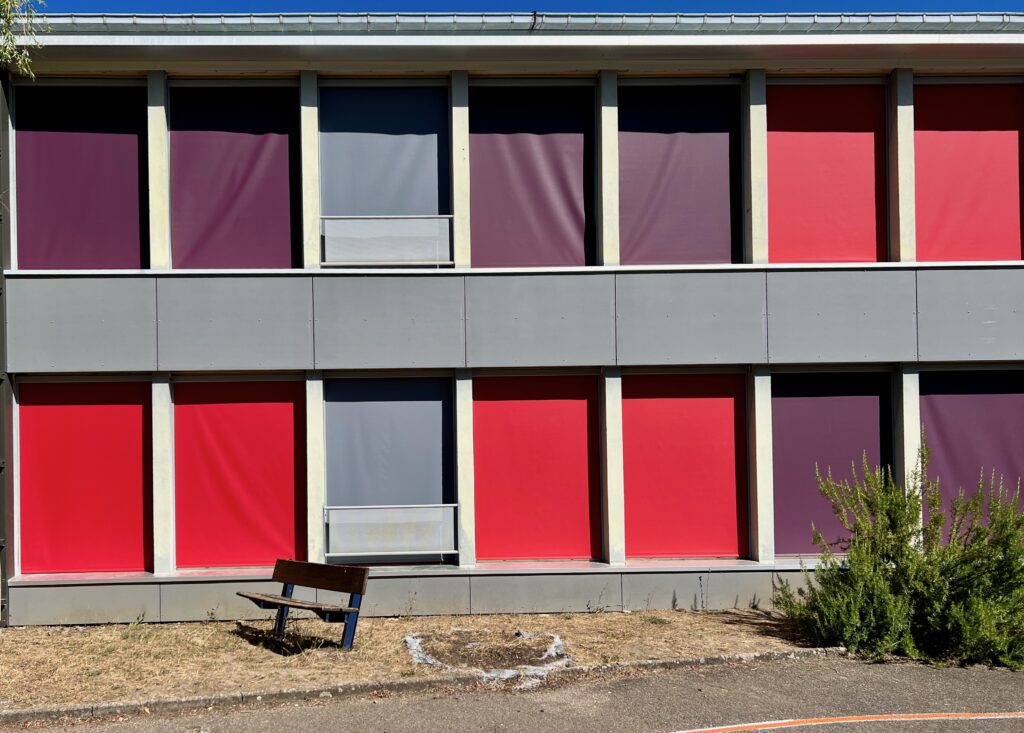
(143, 7)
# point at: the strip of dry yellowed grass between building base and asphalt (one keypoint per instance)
(75, 665)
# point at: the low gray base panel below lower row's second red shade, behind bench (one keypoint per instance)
(219, 601)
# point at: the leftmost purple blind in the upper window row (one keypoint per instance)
(81, 179)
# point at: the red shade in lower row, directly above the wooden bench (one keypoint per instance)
(240, 473)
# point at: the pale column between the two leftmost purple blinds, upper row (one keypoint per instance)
(158, 145)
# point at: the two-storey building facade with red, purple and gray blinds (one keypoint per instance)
(533, 313)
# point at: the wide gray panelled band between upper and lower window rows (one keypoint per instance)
(281, 322)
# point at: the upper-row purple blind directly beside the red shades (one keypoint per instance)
(679, 175)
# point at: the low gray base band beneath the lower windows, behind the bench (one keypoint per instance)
(37, 605)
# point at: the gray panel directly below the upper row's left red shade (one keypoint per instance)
(842, 317)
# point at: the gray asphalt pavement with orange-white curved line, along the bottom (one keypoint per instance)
(656, 702)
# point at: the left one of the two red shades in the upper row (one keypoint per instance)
(827, 174)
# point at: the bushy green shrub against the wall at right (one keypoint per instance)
(948, 591)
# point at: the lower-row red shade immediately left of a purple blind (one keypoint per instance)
(686, 462)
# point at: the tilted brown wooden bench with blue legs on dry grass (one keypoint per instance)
(344, 579)
